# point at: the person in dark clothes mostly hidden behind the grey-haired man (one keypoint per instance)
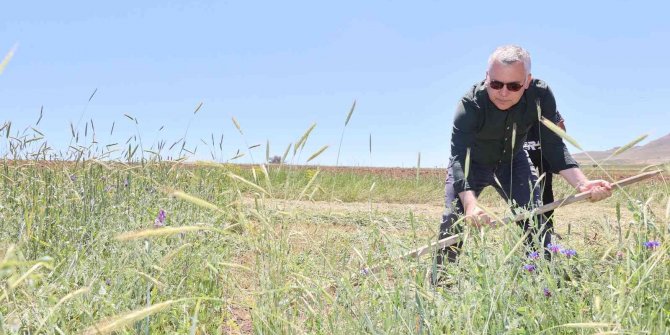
(533, 147)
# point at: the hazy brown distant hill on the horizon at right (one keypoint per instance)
(654, 152)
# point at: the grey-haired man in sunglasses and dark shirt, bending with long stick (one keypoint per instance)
(506, 104)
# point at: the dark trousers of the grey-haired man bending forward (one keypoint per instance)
(516, 184)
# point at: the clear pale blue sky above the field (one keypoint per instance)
(279, 67)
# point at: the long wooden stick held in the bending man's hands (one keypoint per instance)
(451, 240)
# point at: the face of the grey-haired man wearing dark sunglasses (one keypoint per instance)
(504, 98)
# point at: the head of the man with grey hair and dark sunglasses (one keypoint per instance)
(508, 75)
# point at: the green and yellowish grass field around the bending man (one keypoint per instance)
(277, 270)
